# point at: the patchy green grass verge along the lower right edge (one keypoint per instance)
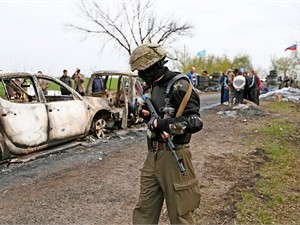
(275, 198)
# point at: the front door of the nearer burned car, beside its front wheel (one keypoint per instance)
(68, 115)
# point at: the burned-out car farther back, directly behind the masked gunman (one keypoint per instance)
(123, 92)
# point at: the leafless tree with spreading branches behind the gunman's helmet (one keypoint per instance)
(133, 24)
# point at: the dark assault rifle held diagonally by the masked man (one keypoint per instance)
(169, 139)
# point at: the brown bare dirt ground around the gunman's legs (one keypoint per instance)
(100, 184)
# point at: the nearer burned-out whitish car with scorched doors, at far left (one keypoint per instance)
(32, 118)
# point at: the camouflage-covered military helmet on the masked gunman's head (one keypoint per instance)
(146, 55)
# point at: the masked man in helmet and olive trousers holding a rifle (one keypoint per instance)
(173, 116)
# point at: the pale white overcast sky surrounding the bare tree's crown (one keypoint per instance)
(33, 35)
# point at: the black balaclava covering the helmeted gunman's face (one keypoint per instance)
(154, 72)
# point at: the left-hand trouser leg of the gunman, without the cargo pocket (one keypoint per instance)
(148, 209)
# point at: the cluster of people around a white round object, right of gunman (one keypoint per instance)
(237, 85)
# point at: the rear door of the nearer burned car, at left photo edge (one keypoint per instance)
(23, 118)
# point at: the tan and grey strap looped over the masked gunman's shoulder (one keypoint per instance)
(186, 96)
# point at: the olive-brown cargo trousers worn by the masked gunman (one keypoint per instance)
(162, 180)
